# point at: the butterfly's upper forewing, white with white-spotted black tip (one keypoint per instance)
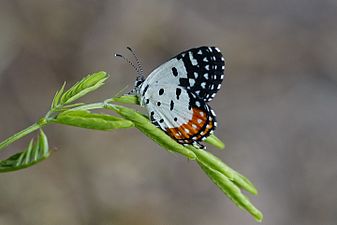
(199, 70)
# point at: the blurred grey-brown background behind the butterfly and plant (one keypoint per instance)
(277, 111)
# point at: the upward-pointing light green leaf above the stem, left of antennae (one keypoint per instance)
(81, 88)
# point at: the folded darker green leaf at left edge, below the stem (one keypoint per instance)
(35, 152)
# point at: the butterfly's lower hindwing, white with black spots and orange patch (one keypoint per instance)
(180, 113)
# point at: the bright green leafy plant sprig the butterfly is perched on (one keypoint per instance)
(63, 110)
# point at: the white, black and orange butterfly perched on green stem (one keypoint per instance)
(176, 93)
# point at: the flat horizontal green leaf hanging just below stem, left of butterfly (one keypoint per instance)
(85, 119)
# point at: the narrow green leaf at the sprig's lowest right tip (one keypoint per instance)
(233, 192)
